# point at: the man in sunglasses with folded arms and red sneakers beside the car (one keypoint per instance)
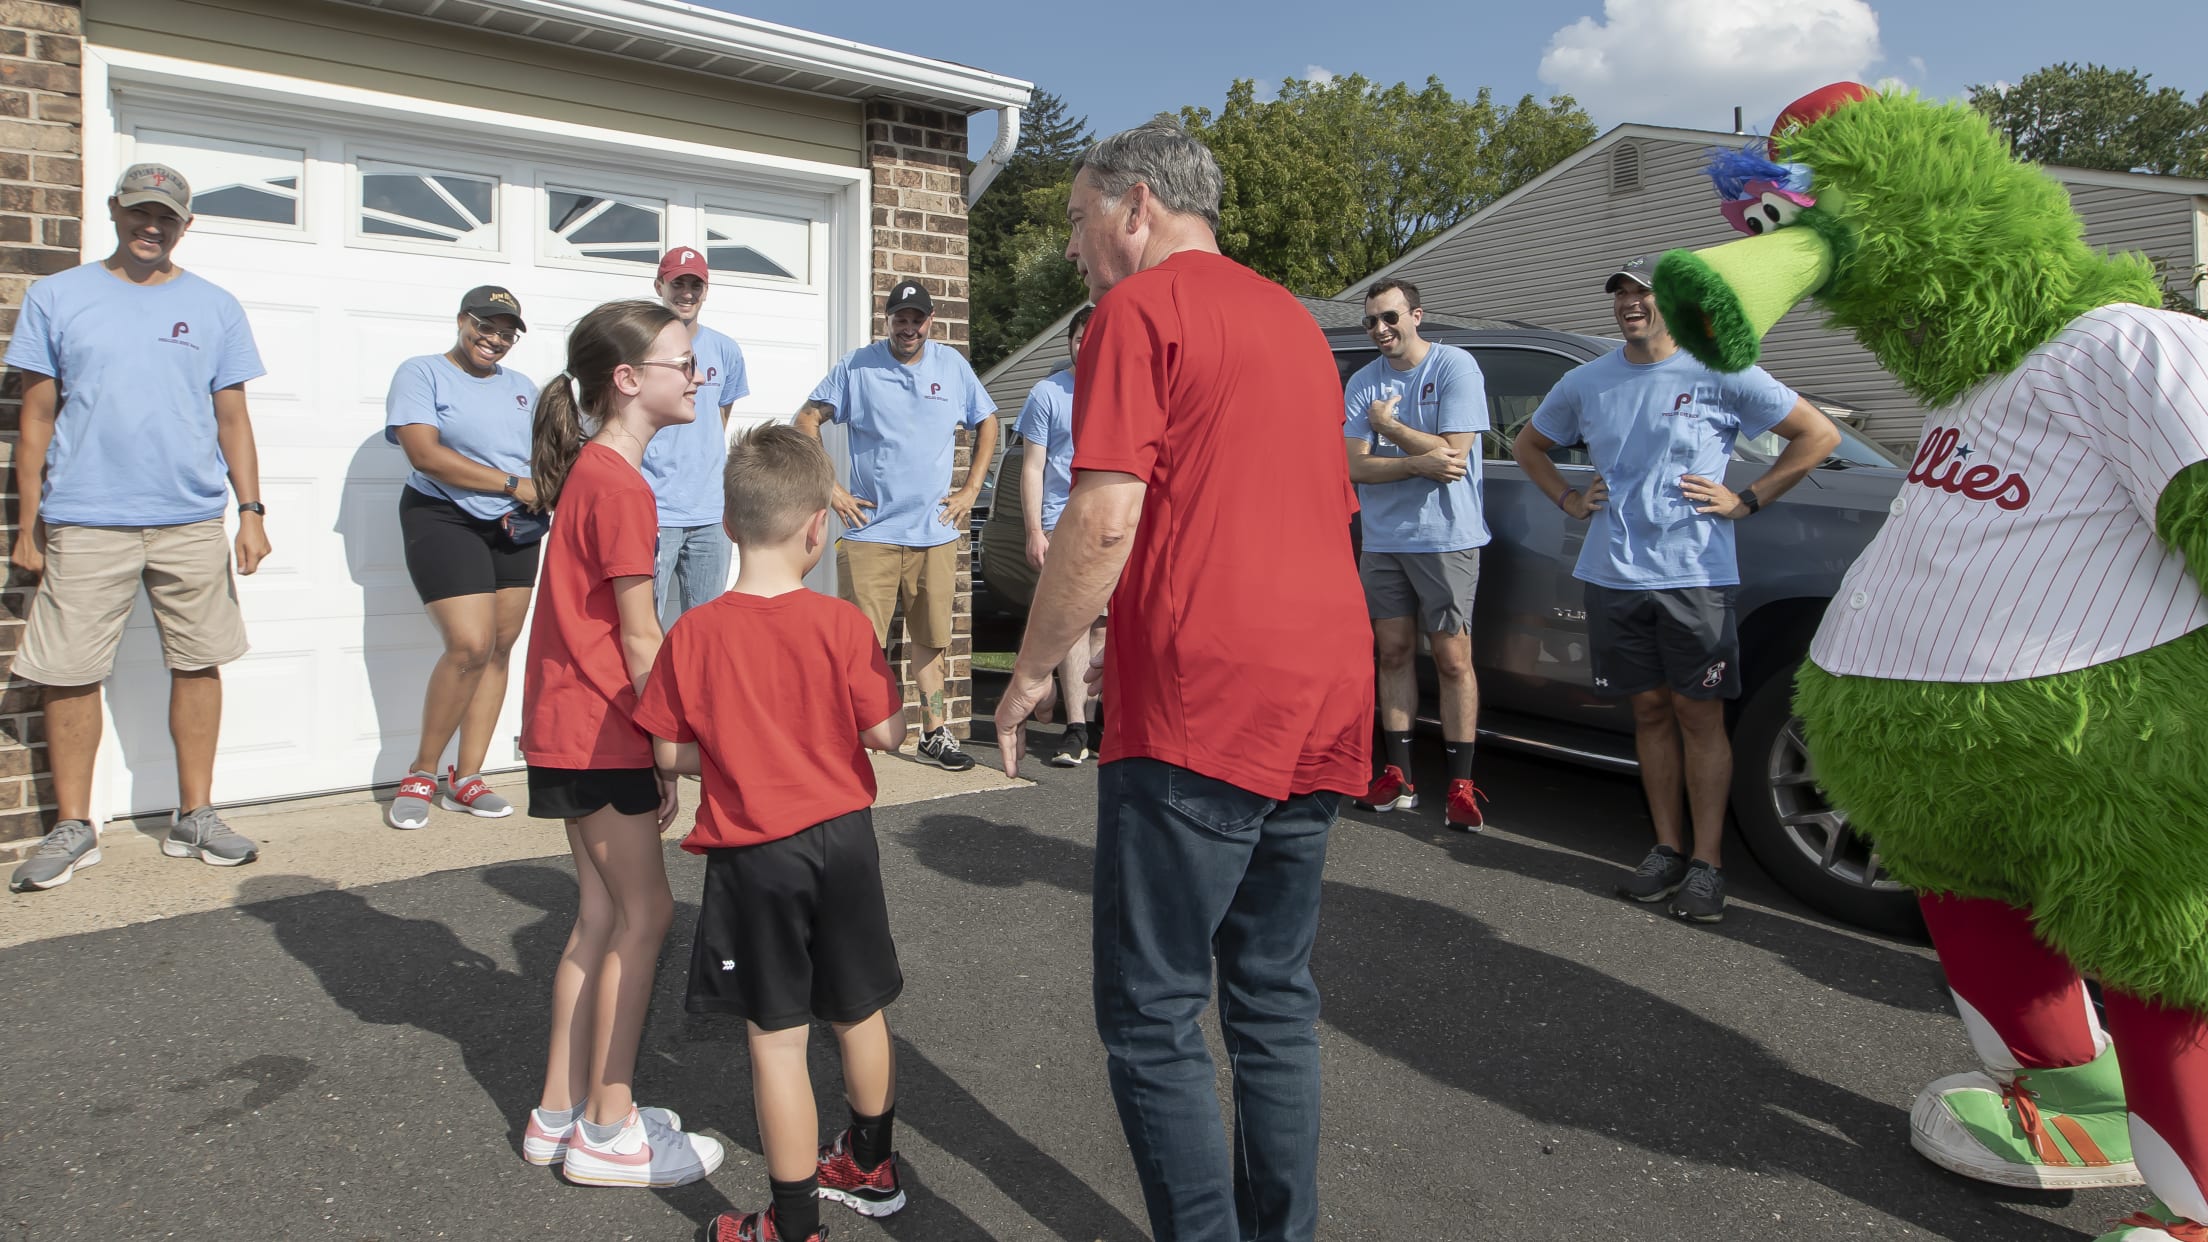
(1412, 425)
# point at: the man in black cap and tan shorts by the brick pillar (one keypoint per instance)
(902, 403)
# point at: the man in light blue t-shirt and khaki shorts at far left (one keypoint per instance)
(134, 441)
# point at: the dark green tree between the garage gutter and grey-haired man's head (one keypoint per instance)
(1017, 235)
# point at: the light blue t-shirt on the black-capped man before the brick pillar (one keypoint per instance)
(904, 425)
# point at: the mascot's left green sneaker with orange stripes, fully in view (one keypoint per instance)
(2046, 1130)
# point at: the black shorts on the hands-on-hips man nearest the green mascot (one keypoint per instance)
(1681, 638)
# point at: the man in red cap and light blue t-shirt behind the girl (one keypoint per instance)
(683, 463)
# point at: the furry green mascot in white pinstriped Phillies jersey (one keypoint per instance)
(2010, 693)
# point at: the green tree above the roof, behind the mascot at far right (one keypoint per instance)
(2101, 118)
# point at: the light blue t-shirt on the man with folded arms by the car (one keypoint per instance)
(1443, 397)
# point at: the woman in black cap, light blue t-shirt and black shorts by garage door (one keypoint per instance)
(471, 540)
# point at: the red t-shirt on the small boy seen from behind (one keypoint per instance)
(776, 693)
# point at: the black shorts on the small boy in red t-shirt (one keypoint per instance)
(796, 929)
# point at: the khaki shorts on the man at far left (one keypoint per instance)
(92, 582)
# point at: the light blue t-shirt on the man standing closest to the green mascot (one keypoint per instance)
(1646, 425)
